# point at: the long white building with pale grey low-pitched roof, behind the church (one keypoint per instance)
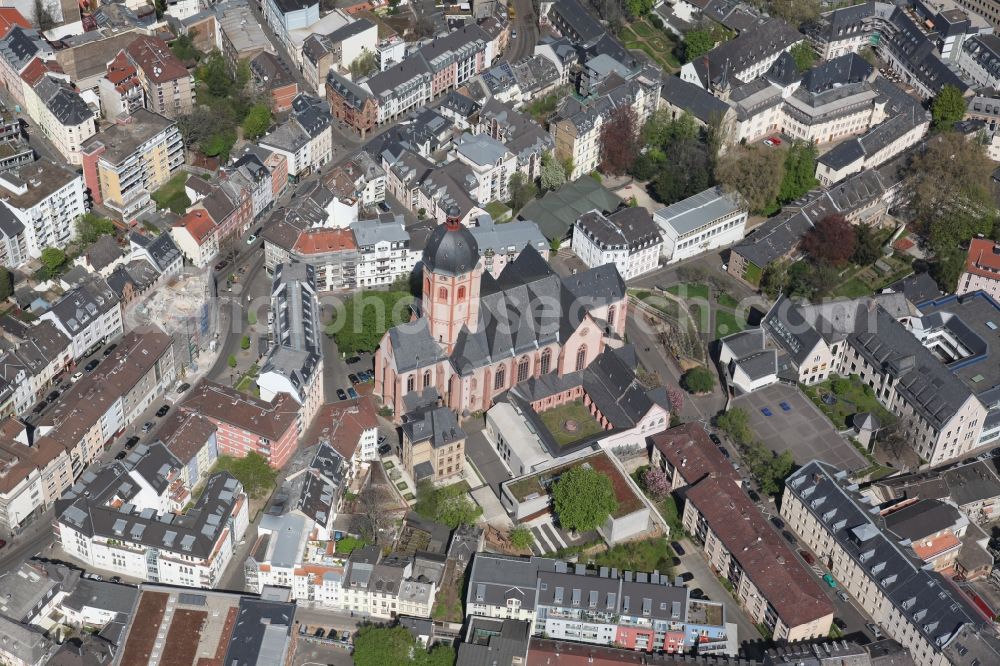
(701, 223)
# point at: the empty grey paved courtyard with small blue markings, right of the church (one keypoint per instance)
(798, 426)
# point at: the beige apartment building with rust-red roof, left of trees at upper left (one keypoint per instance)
(169, 87)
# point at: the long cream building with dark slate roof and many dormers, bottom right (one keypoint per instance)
(913, 605)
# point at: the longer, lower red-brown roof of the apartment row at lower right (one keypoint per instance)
(760, 552)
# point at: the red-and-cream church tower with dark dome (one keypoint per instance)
(452, 272)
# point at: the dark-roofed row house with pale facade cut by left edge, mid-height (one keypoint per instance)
(36, 356)
